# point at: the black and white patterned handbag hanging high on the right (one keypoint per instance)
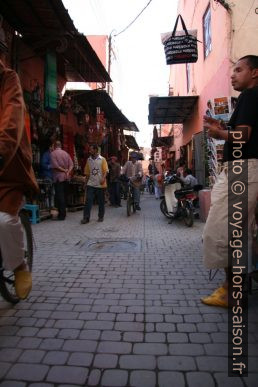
(181, 46)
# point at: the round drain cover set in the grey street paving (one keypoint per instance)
(112, 246)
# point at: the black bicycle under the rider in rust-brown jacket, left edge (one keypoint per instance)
(7, 288)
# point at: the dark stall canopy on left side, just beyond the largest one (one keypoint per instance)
(100, 98)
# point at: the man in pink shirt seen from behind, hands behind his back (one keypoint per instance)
(62, 167)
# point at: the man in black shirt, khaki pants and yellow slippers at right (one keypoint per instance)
(242, 125)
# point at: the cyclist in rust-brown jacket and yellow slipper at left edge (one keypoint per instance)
(17, 178)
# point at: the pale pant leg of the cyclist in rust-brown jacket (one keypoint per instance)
(11, 241)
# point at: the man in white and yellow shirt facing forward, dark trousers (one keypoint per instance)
(96, 170)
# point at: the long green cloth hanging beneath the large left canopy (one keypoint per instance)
(50, 98)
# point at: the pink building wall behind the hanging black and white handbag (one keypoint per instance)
(210, 76)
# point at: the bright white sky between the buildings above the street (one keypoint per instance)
(141, 65)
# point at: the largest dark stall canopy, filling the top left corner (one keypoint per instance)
(46, 25)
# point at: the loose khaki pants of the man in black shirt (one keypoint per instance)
(215, 234)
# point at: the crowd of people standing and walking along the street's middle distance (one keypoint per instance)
(105, 180)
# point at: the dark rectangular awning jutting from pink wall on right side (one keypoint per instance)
(171, 110)
